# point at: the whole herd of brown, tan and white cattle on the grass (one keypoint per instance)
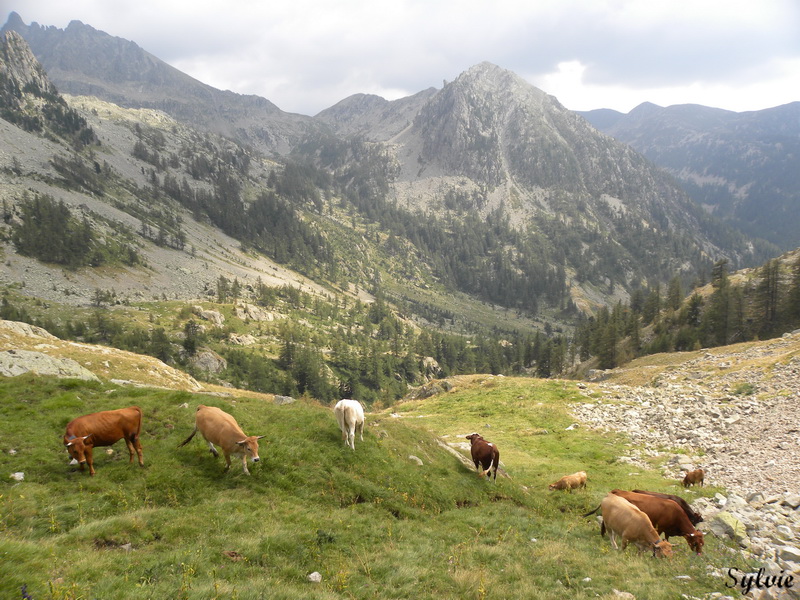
(638, 517)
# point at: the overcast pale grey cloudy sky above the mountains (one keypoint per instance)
(306, 55)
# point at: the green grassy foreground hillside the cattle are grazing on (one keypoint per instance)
(373, 522)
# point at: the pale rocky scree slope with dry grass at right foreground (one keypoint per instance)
(733, 411)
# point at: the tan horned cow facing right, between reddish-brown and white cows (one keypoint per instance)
(218, 427)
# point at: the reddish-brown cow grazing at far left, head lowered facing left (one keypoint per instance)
(104, 428)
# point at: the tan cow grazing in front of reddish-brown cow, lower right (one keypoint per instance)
(623, 519)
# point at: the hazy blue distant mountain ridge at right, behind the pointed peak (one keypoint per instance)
(743, 167)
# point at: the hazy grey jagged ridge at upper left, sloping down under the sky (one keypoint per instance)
(81, 60)
